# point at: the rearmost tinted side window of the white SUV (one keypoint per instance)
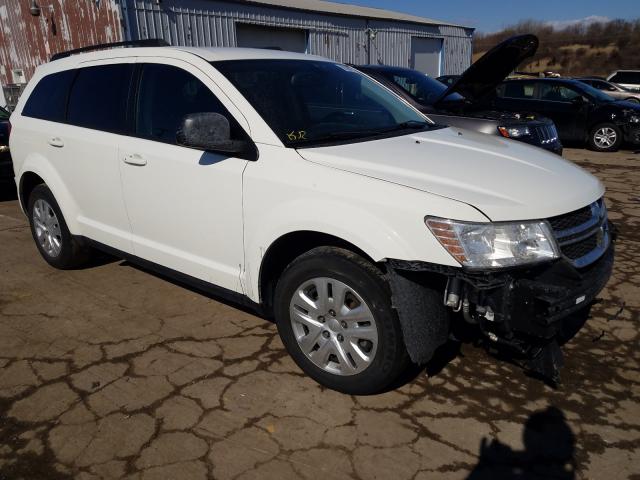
(48, 101)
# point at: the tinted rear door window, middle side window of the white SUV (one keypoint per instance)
(99, 97)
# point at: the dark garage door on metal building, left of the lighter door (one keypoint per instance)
(257, 36)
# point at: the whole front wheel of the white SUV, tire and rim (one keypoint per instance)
(335, 319)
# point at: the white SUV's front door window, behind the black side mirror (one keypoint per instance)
(166, 94)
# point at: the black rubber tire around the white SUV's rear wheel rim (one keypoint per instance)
(73, 253)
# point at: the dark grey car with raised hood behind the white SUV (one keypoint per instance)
(457, 105)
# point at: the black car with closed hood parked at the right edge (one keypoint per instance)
(581, 113)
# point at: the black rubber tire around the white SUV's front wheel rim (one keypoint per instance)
(390, 360)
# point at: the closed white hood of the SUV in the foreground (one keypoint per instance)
(505, 179)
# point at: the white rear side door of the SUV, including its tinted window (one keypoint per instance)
(88, 143)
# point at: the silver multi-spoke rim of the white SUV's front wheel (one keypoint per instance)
(333, 325)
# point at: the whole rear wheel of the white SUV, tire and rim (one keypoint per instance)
(49, 230)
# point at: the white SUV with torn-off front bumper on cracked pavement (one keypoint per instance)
(306, 189)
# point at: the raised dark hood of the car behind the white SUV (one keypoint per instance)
(483, 76)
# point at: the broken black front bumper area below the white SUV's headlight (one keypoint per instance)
(527, 310)
